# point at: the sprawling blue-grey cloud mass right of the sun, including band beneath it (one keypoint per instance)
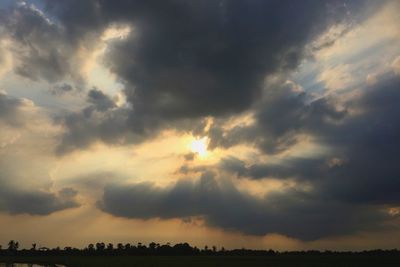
(349, 187)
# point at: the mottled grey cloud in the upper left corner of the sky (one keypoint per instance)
(40, 50)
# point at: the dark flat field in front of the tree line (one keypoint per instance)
(177, 261)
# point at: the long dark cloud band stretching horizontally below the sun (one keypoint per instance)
(293, 213)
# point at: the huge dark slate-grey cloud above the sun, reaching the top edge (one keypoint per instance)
(190, 59)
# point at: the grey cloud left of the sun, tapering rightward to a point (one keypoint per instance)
(103, 121)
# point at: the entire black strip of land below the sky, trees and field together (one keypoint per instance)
(182, 254)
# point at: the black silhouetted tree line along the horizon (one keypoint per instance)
(180, 249)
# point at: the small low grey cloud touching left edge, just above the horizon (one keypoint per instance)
(17, 201)
